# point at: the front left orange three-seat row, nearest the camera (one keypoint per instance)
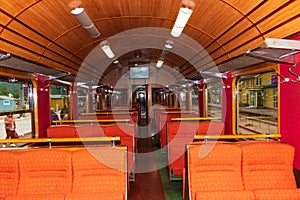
(93, 173)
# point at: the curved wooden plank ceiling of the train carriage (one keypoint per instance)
(44, 32)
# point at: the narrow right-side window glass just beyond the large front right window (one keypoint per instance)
(214, 99)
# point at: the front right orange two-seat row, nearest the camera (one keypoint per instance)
(251, 170)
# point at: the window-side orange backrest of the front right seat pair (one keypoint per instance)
(268, 165)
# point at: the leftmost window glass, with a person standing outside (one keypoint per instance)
(16, 98)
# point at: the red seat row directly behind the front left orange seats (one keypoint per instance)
(127, 133)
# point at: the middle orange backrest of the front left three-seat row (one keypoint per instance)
(45, 171)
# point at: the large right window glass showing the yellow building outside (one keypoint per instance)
(257, 104)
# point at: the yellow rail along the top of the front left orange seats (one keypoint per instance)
(62, 140)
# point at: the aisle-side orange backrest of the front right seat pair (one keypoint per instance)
(214, 167)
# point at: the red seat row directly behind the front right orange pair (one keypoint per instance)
(179, 134)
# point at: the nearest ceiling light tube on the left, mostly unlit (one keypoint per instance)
(86, 22)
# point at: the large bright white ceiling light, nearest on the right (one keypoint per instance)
(182, 18)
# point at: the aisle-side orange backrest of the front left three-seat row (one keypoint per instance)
(99, 170)
